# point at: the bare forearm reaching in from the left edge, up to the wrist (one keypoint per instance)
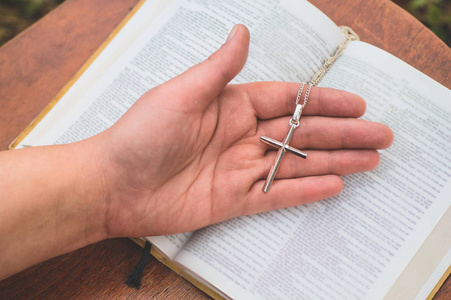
(51, 203)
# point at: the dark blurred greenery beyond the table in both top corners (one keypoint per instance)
(17, 15)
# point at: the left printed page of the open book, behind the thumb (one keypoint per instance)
(289, 41)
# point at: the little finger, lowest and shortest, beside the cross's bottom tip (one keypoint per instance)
(291, 192)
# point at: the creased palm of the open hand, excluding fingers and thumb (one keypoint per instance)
(206, 169)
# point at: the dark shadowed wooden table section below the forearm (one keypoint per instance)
(97, 272)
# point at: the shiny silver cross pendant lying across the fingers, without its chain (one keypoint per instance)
(283, 147)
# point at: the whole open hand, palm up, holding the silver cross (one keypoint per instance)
(188, 153)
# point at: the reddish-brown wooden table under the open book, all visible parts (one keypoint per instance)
(36, 65)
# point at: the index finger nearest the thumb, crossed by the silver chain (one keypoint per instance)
(275, 99)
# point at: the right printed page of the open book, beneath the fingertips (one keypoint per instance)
(355, 245)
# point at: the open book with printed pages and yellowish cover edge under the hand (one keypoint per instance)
(385, 236)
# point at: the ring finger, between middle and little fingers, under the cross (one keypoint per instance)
(337, 162)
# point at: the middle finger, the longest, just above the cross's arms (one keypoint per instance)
(329, 133)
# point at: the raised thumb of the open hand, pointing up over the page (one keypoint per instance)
(197, 87)
